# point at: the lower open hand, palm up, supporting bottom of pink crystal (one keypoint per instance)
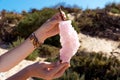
(47, 70)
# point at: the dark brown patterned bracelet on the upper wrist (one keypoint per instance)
(34, 40)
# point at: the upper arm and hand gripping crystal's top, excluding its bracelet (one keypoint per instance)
(14, 56)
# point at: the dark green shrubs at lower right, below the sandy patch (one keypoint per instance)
(96, 66)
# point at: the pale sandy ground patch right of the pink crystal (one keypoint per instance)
(92, 44)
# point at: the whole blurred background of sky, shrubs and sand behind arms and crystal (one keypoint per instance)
(97, 23)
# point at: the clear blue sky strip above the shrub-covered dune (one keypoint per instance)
(19, 5)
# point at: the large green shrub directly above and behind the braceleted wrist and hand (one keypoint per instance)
(33, 21)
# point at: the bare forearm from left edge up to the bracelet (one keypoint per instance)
(14, 56)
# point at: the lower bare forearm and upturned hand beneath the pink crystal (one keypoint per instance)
(40, 70)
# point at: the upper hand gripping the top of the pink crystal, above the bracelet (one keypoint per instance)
(50, 27)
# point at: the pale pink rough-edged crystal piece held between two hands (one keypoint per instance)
(69, 41)
